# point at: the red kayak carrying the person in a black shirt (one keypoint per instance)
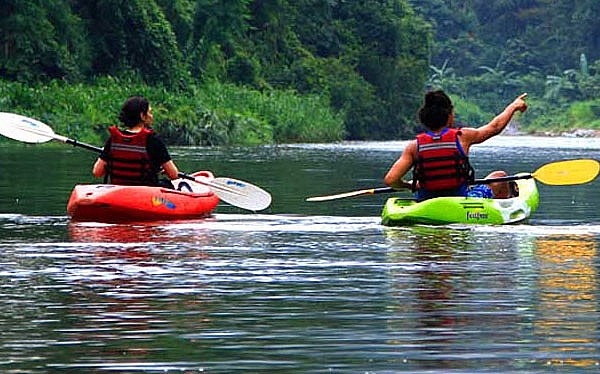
(114, 203)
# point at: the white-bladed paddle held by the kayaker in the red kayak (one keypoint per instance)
(235, 192)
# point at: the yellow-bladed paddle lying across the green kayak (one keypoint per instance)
(559, 173)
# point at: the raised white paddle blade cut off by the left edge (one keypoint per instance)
(24, 129)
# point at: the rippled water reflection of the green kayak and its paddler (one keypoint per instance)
(430, 292)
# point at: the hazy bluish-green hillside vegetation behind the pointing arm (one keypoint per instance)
(487, 52)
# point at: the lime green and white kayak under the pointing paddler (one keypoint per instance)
(463, 210)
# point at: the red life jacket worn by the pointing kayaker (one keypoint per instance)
(441, 162)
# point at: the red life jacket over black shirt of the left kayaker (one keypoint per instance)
(129, 160)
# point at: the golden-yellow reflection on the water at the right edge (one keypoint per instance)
(567, 322)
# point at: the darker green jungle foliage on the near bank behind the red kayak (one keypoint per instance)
(358, 64)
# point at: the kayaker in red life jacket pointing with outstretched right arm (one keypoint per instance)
(439, 157)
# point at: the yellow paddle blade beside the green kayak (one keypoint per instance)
(562, 173)
